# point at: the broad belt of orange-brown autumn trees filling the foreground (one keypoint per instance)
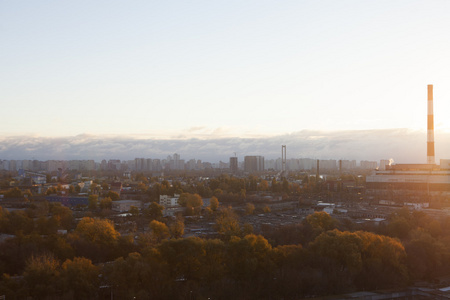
(318, 256)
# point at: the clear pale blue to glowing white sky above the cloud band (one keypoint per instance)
(208, 70)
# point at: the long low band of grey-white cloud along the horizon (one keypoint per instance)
(401, 144)
